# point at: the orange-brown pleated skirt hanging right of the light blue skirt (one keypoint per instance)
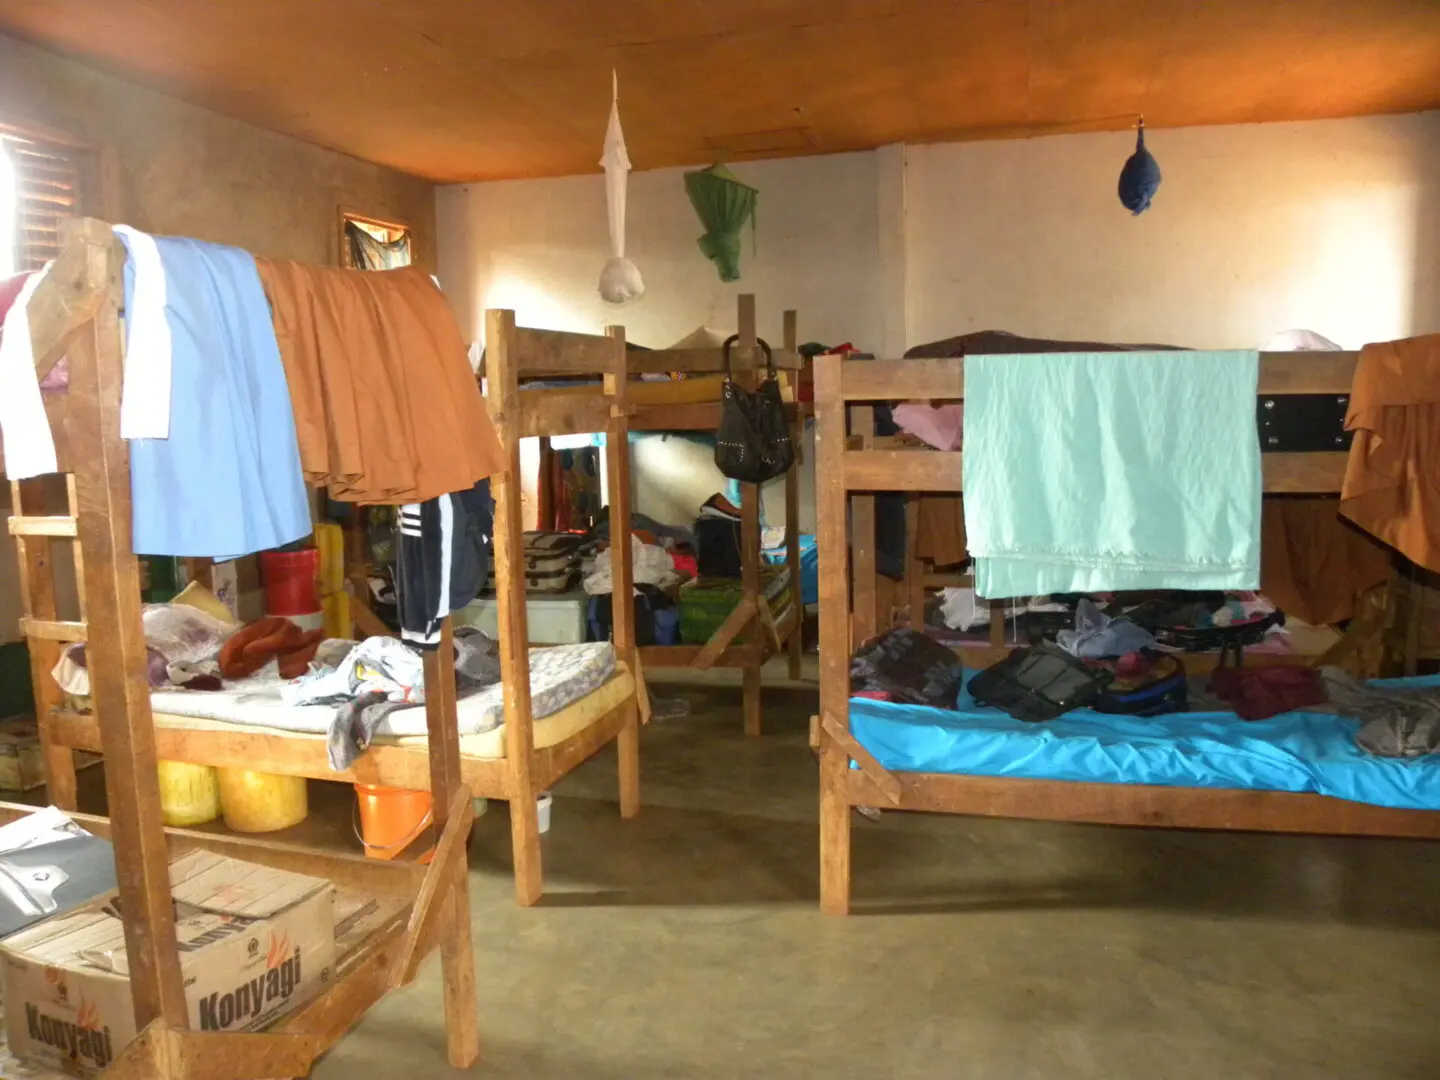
(387, 405)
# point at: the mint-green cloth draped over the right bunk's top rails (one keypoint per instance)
(1107, 472)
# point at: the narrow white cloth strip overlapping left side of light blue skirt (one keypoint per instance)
(145, 404)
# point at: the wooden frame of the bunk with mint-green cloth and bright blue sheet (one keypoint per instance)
(849, 469)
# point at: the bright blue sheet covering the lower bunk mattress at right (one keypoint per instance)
(1295, 752)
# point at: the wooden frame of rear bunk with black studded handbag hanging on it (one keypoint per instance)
(764, 637)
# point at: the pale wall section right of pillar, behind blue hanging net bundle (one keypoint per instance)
(1327, 225)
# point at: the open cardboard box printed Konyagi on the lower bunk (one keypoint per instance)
(254, 944)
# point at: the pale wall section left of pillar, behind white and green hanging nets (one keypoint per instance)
(538, 247)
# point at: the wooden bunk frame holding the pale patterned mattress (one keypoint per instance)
(516, 761)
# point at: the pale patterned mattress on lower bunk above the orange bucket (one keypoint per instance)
(559, 678)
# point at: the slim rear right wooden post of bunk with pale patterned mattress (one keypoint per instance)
(623, 604)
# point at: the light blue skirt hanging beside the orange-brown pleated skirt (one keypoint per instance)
(228, 482)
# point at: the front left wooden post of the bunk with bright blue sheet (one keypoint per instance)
(833, 542)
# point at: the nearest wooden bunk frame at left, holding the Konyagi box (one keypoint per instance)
(77, 313)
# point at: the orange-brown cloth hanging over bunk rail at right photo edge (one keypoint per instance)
(1392, 480)
